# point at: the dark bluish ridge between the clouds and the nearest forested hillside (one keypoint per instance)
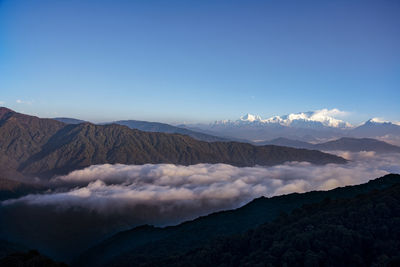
(151, 245)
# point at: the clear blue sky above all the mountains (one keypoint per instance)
(199, 61)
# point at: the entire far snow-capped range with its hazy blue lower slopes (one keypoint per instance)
(304, 126)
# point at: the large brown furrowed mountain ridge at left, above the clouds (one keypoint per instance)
(31, 146)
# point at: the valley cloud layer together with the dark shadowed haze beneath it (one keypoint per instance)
(88, 205)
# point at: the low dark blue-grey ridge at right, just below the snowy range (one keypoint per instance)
(343, 144)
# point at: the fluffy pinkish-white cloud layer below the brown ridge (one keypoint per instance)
(112, 188)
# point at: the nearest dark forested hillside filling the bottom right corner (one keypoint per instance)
(361, 231)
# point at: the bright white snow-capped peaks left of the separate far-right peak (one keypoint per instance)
(312, 119)
